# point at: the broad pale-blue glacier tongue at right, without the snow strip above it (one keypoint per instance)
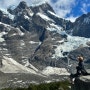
(73, 42)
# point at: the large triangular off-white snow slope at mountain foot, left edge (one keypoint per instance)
(11, 66)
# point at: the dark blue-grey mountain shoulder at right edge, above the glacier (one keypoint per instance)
(82, 26)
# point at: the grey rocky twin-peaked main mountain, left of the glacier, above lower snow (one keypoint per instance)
(32, 34)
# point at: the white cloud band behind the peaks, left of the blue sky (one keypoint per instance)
(61, 7)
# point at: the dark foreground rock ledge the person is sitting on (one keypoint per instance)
(81, 83)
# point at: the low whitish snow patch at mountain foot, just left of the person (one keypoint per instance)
(55, 71)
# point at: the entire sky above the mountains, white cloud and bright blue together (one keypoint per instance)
(69, 9)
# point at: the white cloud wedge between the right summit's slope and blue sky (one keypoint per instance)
(63, 7)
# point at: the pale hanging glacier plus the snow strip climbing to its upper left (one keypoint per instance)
(72, 42)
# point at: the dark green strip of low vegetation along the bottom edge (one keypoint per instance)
(64, 85)
